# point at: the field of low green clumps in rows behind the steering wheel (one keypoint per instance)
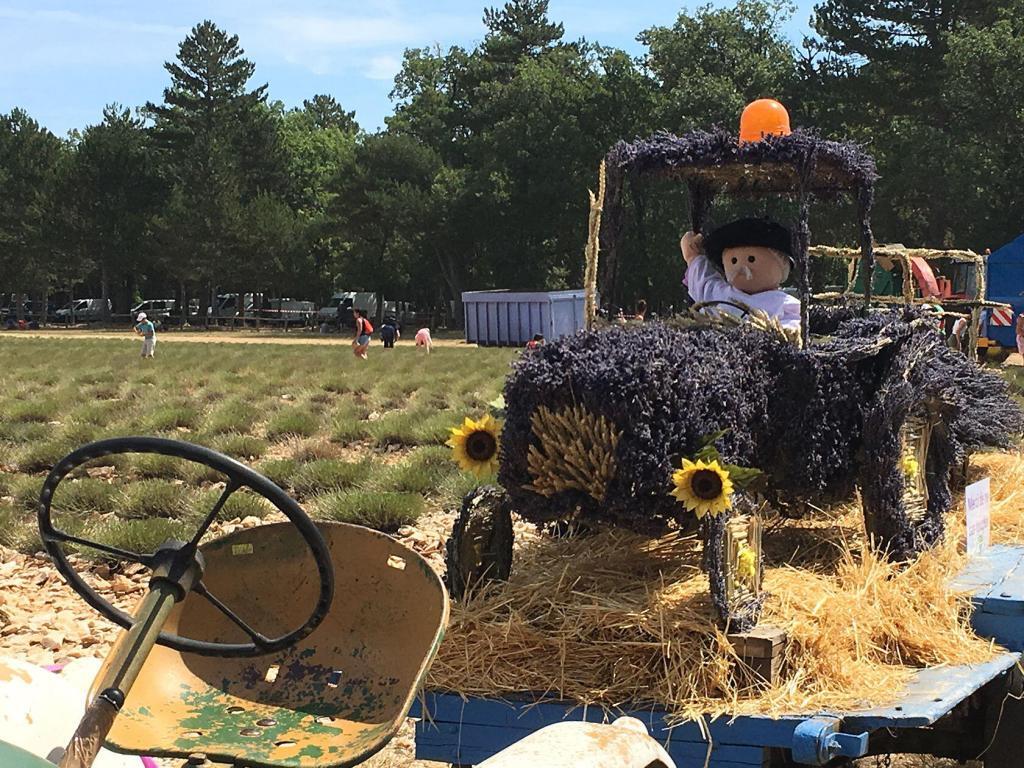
(353, 441)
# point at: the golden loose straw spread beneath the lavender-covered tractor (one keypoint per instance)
(616, 619)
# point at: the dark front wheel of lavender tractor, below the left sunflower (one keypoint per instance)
(481, 546)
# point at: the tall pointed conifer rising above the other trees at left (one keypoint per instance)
(222, 151)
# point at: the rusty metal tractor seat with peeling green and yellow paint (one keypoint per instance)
(334, 699)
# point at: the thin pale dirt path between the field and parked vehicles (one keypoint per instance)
(226, 337)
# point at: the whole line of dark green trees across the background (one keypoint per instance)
(480, 179)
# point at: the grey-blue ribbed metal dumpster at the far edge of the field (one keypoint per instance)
(513, 319)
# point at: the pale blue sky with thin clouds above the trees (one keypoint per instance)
(63, 61)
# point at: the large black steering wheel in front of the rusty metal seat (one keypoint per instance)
(179, 558)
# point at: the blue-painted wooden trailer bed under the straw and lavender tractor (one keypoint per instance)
(470, 732)
